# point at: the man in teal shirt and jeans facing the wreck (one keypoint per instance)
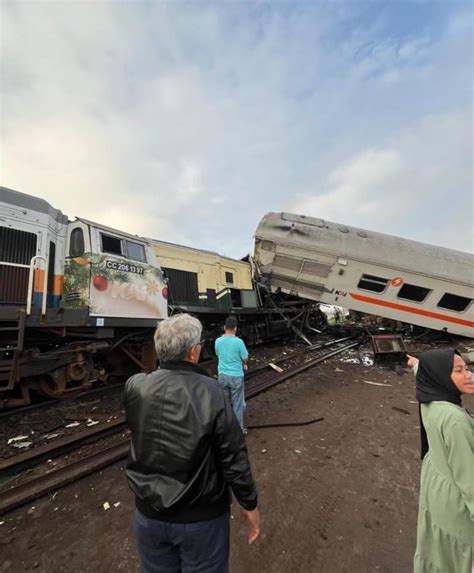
(233, 360)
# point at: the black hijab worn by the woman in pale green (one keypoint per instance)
(434, 384)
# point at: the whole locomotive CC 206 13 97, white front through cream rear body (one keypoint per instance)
(79, 301)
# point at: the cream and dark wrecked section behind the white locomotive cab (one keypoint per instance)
(211, 286)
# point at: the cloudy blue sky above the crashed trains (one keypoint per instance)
(188, 121)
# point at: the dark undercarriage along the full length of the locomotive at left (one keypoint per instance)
(64, 353)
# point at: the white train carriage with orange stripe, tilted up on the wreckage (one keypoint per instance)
(408, 281)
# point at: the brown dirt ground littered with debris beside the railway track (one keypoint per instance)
(336, 496)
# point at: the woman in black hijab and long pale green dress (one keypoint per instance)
(445, 535)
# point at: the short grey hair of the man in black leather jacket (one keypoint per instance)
(175, 335)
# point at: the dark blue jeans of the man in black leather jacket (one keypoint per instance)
(201, 547)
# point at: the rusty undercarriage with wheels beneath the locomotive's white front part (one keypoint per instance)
(40, 357)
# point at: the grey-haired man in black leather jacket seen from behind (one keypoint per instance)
(187, 454)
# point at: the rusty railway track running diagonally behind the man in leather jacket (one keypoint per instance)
(18, 495)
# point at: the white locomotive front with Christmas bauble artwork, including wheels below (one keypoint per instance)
(78, 301)
